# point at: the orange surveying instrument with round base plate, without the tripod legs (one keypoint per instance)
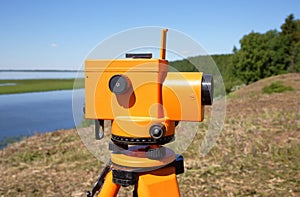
(144, 102)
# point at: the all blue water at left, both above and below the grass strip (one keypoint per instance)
(29, 113)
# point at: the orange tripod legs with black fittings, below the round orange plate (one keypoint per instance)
(156, 183)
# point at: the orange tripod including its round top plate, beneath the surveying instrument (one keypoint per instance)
(157, 177)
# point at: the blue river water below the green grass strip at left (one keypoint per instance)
(26, 114)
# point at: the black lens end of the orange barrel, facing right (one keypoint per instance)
(207, 90)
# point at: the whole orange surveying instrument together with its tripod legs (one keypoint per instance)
(144, 102)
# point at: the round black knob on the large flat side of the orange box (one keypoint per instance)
(119, 84)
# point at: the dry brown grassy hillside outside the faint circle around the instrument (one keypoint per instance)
(257, 153)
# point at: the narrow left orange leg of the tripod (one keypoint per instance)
(109, 189)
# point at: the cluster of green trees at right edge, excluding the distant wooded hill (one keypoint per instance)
(270, 53)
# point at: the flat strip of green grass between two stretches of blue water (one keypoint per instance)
(37, 85)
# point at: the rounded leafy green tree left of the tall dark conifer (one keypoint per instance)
(260, 56)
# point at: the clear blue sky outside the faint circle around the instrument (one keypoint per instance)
(59, 34)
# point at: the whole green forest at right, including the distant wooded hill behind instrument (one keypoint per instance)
(260, 55)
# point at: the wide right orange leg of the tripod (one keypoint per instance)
(158, 183)
